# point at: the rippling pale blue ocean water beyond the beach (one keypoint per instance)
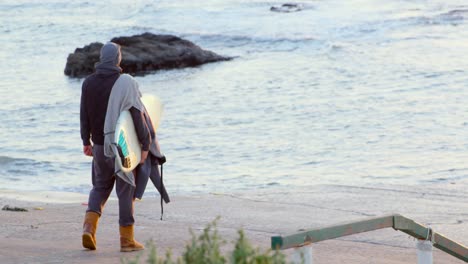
(356, 92)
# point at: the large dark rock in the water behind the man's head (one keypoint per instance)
(142, 54)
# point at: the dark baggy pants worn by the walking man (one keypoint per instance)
(103, 183)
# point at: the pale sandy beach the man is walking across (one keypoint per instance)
(50, 232)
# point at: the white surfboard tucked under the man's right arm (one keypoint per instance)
(126, 137)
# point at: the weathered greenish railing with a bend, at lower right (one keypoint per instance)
(397, 222)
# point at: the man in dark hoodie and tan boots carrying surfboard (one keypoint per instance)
(98, 90)
